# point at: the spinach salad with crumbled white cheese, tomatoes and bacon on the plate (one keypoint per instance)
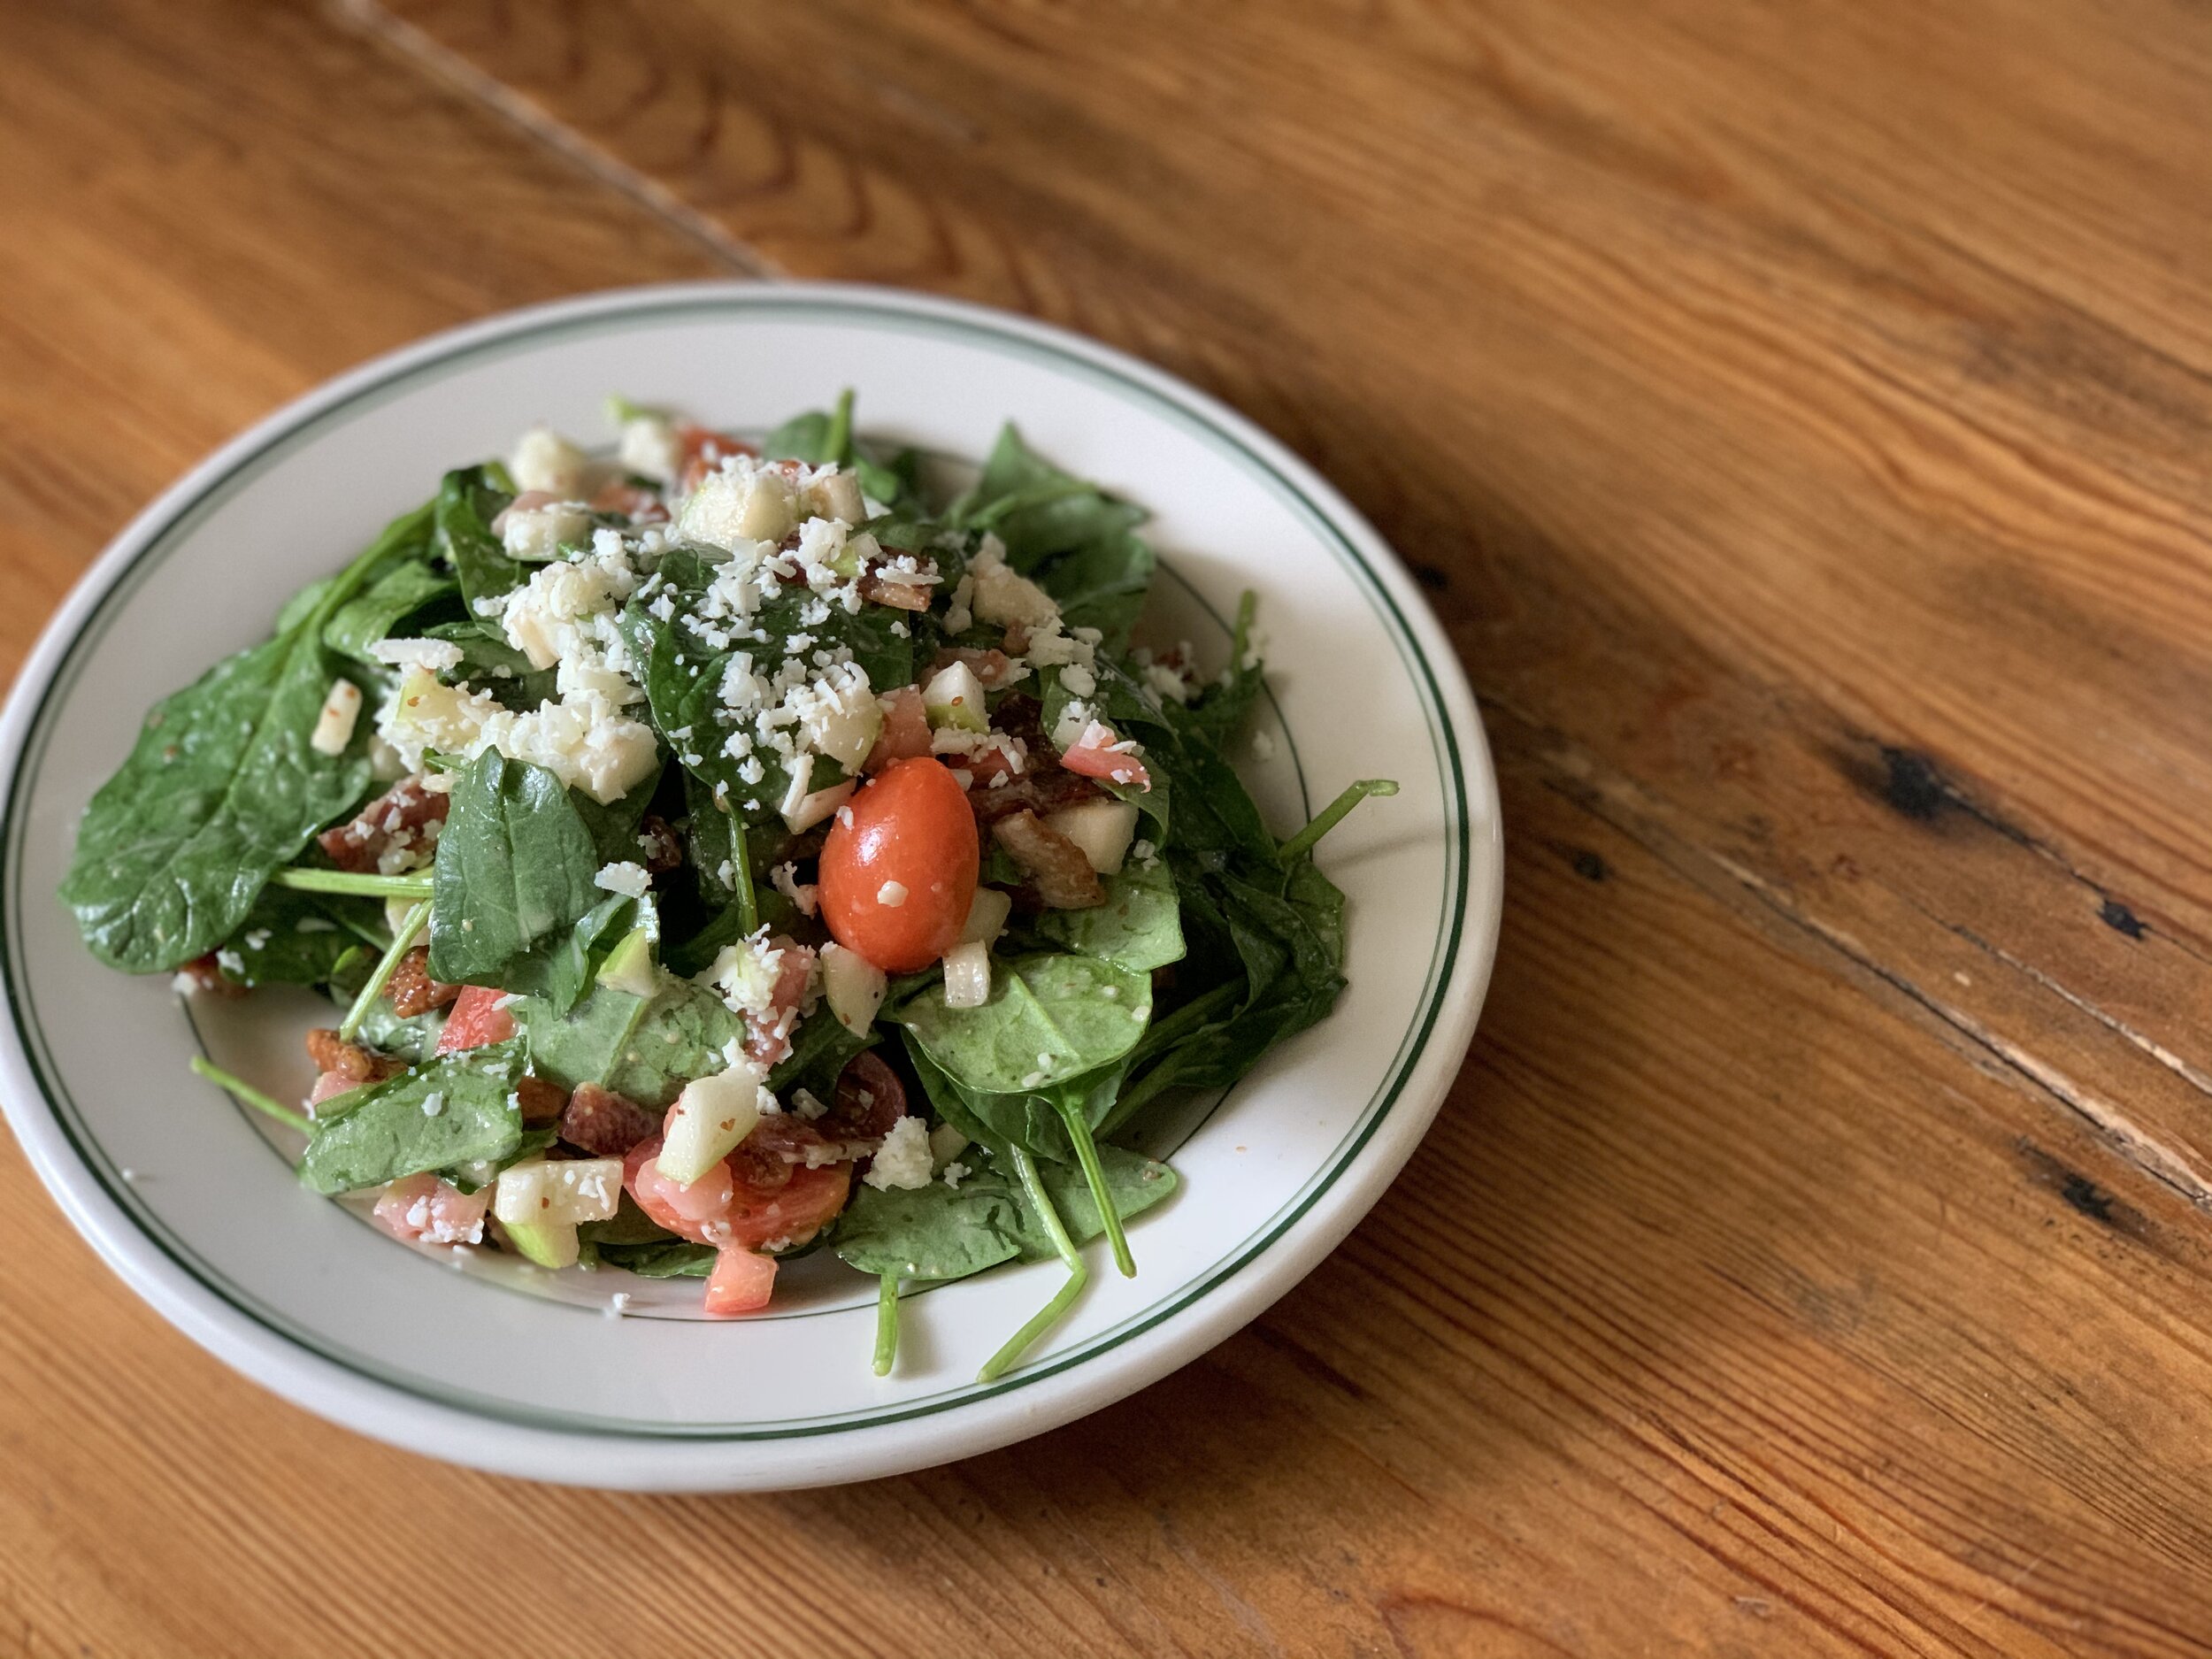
(729, 851)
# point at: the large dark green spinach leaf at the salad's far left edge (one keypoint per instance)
(220, 789)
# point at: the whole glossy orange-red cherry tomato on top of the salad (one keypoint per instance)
(899, 873)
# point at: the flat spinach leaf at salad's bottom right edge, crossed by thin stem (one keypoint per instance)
(952, 1233)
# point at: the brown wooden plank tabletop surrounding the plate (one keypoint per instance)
(1802, 417)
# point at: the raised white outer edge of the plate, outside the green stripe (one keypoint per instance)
(908, 1434)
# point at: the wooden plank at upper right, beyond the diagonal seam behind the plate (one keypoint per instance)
(1804, 415)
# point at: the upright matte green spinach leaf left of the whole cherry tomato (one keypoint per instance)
(514, 875)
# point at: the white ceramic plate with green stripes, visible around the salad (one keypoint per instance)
(523, 1373)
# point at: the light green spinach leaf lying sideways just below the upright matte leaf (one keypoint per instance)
(645, 1050)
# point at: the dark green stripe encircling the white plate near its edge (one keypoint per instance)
(654, 311)
